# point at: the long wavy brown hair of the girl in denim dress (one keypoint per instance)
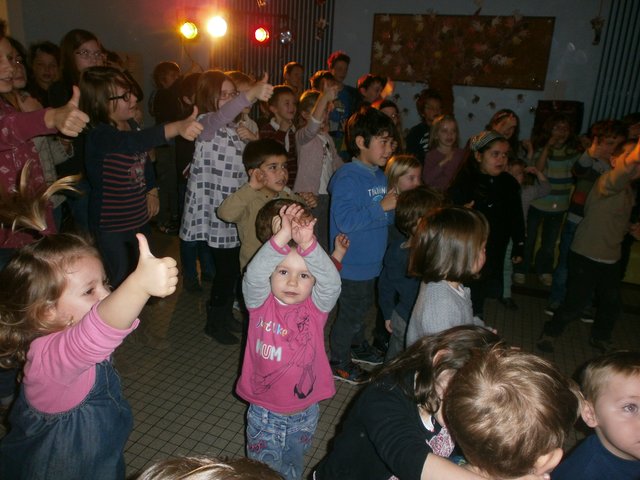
(32, 282)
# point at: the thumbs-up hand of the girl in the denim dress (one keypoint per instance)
(157, 276)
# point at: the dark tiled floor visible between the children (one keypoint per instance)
(182, 393)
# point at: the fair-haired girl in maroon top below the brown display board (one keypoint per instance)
(444, 157)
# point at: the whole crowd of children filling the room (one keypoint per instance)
(322, 203)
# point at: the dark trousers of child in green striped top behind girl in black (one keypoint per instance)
(551, 223)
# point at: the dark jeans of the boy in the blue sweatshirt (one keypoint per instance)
(355, 299)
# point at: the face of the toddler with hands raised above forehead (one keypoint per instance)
(291, 282)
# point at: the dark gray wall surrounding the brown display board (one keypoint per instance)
(573, 61)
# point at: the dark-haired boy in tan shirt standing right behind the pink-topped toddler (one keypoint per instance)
(265, 162)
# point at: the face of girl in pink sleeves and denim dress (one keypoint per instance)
(85, 286)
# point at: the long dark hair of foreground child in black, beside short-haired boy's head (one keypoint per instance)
(416, 370)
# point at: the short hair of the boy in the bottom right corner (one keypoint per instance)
(595, 375)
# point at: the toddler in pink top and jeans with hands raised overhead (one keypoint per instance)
(289, 293)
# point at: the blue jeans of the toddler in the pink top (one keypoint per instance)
(280, 440)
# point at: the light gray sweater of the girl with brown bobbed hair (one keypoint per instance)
(438, 308)
